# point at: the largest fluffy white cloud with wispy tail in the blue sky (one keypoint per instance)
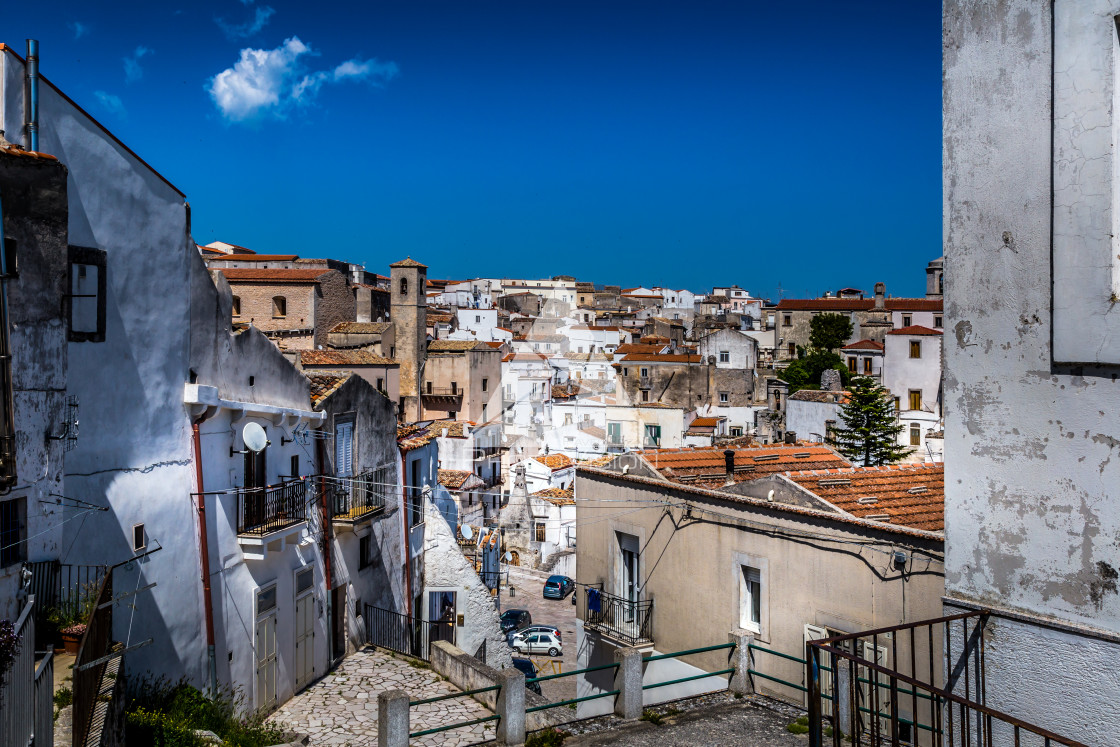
(273, 81)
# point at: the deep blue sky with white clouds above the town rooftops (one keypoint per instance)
(676, 144)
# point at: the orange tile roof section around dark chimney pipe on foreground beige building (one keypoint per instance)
(707, 468)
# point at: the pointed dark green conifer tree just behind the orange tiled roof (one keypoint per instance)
(871, 436)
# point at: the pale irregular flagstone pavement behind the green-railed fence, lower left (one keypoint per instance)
(342, 708)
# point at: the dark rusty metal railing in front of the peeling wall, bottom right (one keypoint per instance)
(921, 684)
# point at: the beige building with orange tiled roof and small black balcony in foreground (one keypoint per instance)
(678, 548)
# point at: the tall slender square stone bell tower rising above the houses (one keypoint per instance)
(409, 315)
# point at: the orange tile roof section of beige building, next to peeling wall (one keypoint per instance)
(908, 496)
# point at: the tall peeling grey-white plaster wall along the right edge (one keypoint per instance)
(1032, 449)
